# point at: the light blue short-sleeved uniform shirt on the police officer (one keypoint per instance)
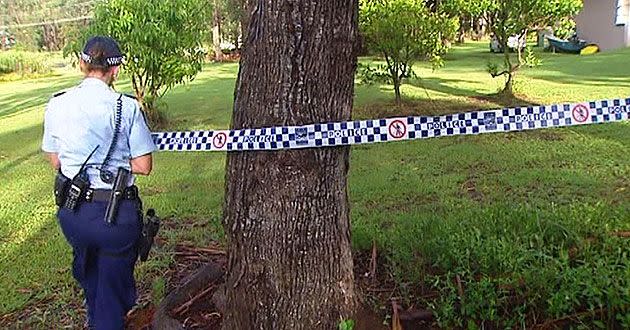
(84, 117)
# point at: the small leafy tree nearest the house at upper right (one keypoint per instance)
(508, 18)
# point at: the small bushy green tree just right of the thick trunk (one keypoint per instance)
(404, 31)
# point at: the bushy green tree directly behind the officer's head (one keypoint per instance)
(162, 40)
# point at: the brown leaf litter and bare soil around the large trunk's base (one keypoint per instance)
(375, 285)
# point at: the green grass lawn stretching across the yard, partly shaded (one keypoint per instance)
(524, 220)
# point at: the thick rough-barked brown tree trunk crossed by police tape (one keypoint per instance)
(286, 213)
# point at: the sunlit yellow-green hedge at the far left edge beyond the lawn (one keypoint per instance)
(23, 63)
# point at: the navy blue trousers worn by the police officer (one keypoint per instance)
(104, 259)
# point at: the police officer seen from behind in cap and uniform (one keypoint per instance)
(93, 124)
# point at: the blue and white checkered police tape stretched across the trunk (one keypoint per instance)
(396, 129)
